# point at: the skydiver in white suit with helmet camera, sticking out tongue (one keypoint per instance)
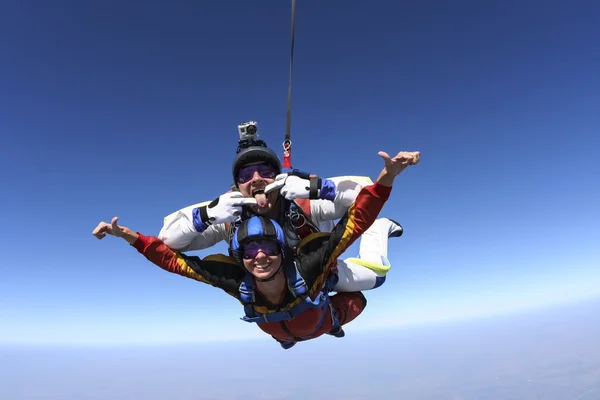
(301, 204)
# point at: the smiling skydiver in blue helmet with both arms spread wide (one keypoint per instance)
(285, 292)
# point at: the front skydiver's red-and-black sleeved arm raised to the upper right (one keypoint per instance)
(359, 217)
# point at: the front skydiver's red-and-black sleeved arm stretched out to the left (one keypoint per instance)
(216, 270)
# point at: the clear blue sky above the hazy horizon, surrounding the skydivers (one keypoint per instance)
(130, 109)
